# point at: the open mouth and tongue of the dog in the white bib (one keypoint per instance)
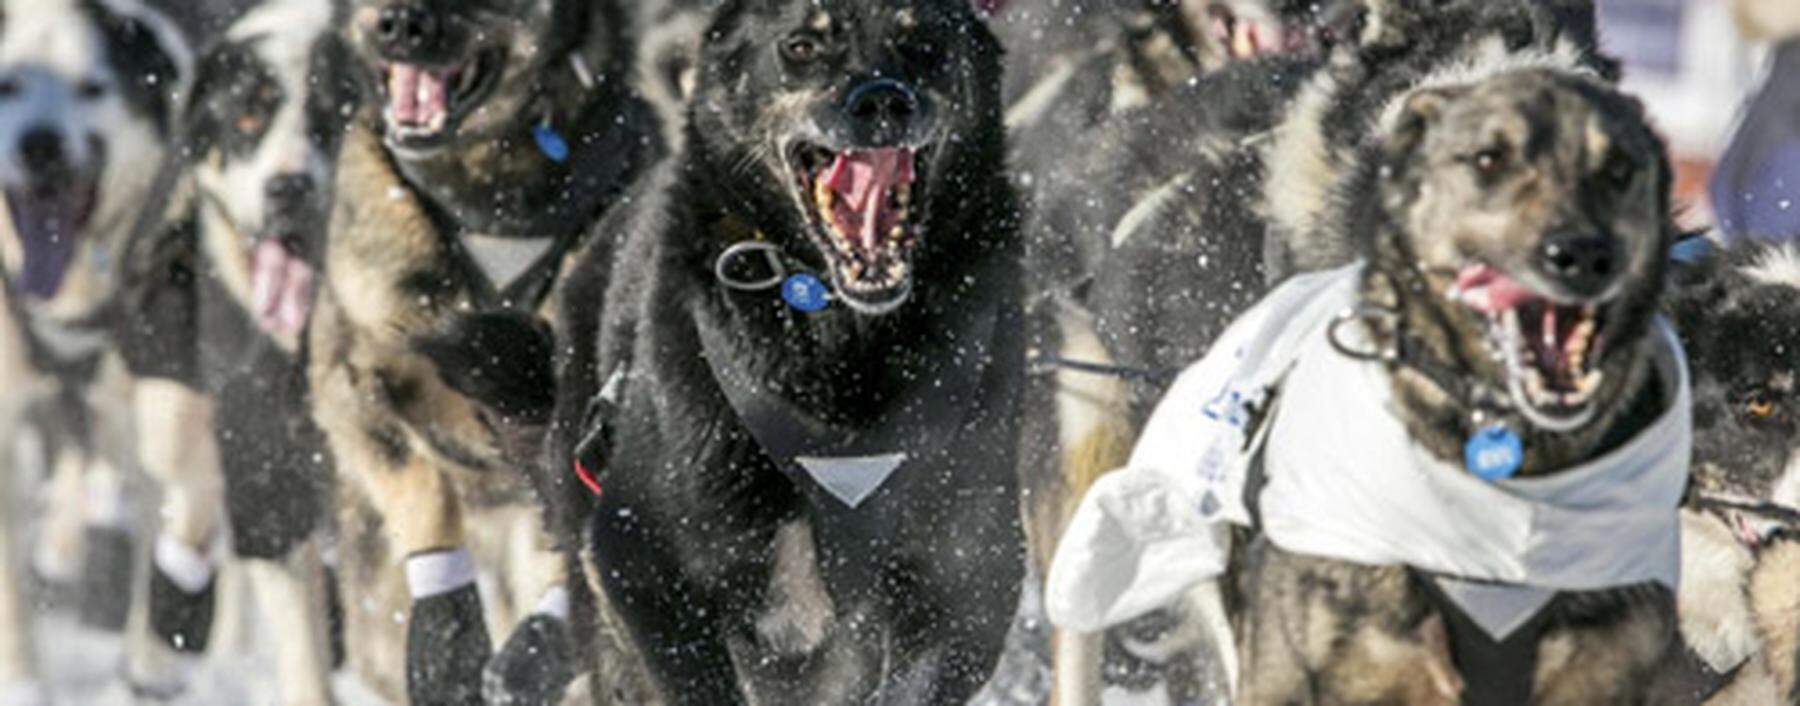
(1551, 350)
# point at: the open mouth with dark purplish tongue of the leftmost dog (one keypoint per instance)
(49, 222)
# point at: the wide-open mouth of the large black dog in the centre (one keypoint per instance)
(859, 206)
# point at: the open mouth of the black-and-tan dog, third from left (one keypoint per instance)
(424, 104)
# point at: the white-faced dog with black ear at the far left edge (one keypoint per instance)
(87, 102)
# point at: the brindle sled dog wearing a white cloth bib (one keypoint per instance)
(1506, 529)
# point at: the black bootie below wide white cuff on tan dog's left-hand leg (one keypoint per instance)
(447, 647)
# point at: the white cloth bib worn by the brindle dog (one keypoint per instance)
(1347, 482)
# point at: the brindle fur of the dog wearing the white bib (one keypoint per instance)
(1318, 629)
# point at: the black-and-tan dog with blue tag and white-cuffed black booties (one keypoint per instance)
(490, 138)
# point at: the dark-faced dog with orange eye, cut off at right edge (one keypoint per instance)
(1740, 554)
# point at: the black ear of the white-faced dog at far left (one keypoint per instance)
(150, 57)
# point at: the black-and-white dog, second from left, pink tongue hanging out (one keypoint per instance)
(249, 203)
